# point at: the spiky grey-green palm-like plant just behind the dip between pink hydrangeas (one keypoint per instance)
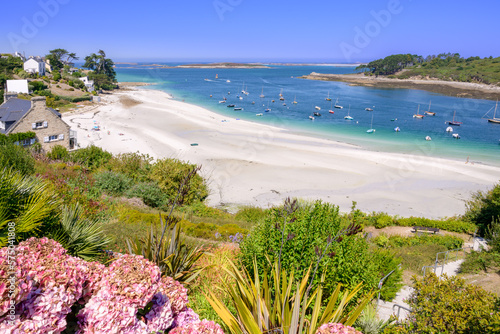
(80, 236)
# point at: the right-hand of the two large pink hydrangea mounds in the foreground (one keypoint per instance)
(128, 285)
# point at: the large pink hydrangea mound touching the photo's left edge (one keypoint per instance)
(48, 283)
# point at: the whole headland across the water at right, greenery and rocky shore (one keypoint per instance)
(446, 74)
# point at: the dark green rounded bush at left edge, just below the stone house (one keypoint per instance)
(17, 158)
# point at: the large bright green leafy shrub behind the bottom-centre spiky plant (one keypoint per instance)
(308, 230)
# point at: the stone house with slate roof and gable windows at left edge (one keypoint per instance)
(17, 115)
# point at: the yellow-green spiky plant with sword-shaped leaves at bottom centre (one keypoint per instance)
(270, 305)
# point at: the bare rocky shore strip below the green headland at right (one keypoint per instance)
(450, 88)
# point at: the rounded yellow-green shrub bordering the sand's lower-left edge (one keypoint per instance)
(169, 174)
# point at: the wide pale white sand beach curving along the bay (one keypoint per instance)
(255, 164)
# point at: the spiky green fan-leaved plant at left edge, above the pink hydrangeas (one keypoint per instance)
(27, 202)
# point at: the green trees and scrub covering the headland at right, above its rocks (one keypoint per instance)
(444, 66)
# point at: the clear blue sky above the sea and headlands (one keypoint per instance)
(251, 30)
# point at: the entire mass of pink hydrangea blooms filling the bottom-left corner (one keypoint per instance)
(129, 296)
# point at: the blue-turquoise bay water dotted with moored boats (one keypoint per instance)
(479, 139)
